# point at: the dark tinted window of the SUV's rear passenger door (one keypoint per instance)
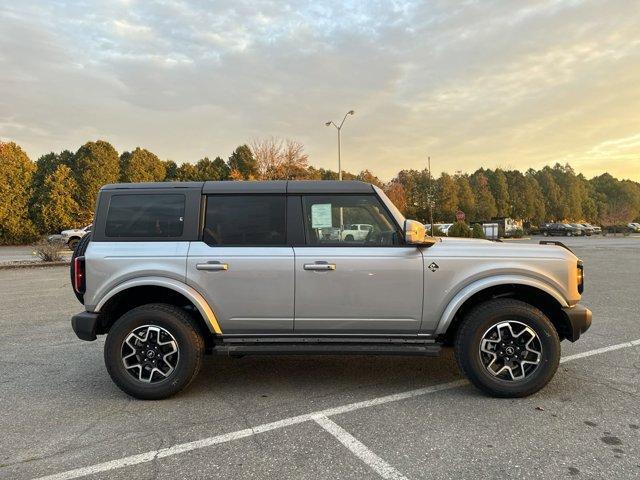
(245, 220)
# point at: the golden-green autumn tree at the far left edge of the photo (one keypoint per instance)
(16, 172)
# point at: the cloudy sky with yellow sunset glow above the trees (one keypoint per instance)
(510, 84)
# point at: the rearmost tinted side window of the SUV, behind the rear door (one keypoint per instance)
(160, 216)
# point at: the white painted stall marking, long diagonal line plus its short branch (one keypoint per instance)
(320, 417)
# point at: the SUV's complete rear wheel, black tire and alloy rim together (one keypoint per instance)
(153, 351)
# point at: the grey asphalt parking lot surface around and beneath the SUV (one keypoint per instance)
(320, 417)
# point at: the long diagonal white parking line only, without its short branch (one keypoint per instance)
(228, 437)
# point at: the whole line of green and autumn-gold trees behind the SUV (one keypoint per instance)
(59, 190)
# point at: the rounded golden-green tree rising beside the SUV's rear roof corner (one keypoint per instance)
(94, 165)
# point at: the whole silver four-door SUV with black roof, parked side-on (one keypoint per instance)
(172, 271)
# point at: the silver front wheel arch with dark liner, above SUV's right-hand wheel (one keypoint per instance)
(529, 290)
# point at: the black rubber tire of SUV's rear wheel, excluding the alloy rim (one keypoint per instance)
(190, 344)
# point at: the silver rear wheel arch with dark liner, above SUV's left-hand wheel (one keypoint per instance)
(139, 291)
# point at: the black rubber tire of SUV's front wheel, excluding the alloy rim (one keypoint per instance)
(482, 318)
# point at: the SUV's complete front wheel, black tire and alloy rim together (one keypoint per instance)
(507, 348)
